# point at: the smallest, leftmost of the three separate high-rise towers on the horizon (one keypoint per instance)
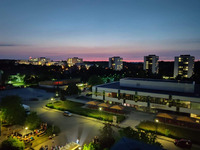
(116, 63)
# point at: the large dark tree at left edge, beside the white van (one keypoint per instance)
(12, 110)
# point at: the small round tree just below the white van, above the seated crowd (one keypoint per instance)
(32, 121)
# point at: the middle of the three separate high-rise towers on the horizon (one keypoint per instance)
(151, 64)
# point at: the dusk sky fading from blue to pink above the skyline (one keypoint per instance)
(99, 29)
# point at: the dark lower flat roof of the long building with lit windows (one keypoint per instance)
(116, 85)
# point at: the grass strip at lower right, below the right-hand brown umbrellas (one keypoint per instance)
(171, 131)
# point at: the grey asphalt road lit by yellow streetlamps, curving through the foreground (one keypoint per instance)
(80, 127)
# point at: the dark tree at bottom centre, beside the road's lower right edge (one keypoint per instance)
(106, 137)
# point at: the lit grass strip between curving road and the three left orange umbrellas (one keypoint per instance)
(76, 108)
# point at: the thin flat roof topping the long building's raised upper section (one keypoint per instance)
(158, 80)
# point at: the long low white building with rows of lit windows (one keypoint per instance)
(158, 95)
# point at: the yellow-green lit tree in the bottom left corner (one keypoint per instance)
(12, 144)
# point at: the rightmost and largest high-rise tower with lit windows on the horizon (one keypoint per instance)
(184, 66)
